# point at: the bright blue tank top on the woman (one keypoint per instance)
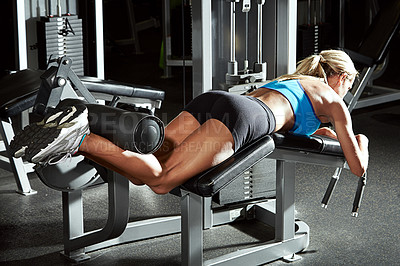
(306, 122)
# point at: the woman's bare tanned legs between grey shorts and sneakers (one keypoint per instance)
(206, 146)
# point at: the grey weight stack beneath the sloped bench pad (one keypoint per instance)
(258, 182)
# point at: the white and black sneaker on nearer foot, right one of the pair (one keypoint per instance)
(59, 134)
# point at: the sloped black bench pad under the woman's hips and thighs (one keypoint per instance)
(213, 180)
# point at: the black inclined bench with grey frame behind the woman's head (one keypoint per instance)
(370, 54)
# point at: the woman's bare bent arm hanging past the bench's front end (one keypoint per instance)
(355, 148)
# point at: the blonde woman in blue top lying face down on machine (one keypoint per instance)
(216, 124)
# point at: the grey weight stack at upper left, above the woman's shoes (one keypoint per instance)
(60, 36)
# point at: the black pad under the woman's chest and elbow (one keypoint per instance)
(314, 143)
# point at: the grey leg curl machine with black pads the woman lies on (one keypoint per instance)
(197, 214)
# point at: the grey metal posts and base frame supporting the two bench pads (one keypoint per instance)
(278, 213)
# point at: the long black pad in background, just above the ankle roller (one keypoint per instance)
(122, 89)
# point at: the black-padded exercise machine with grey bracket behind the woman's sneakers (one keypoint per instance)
(20, 92)
